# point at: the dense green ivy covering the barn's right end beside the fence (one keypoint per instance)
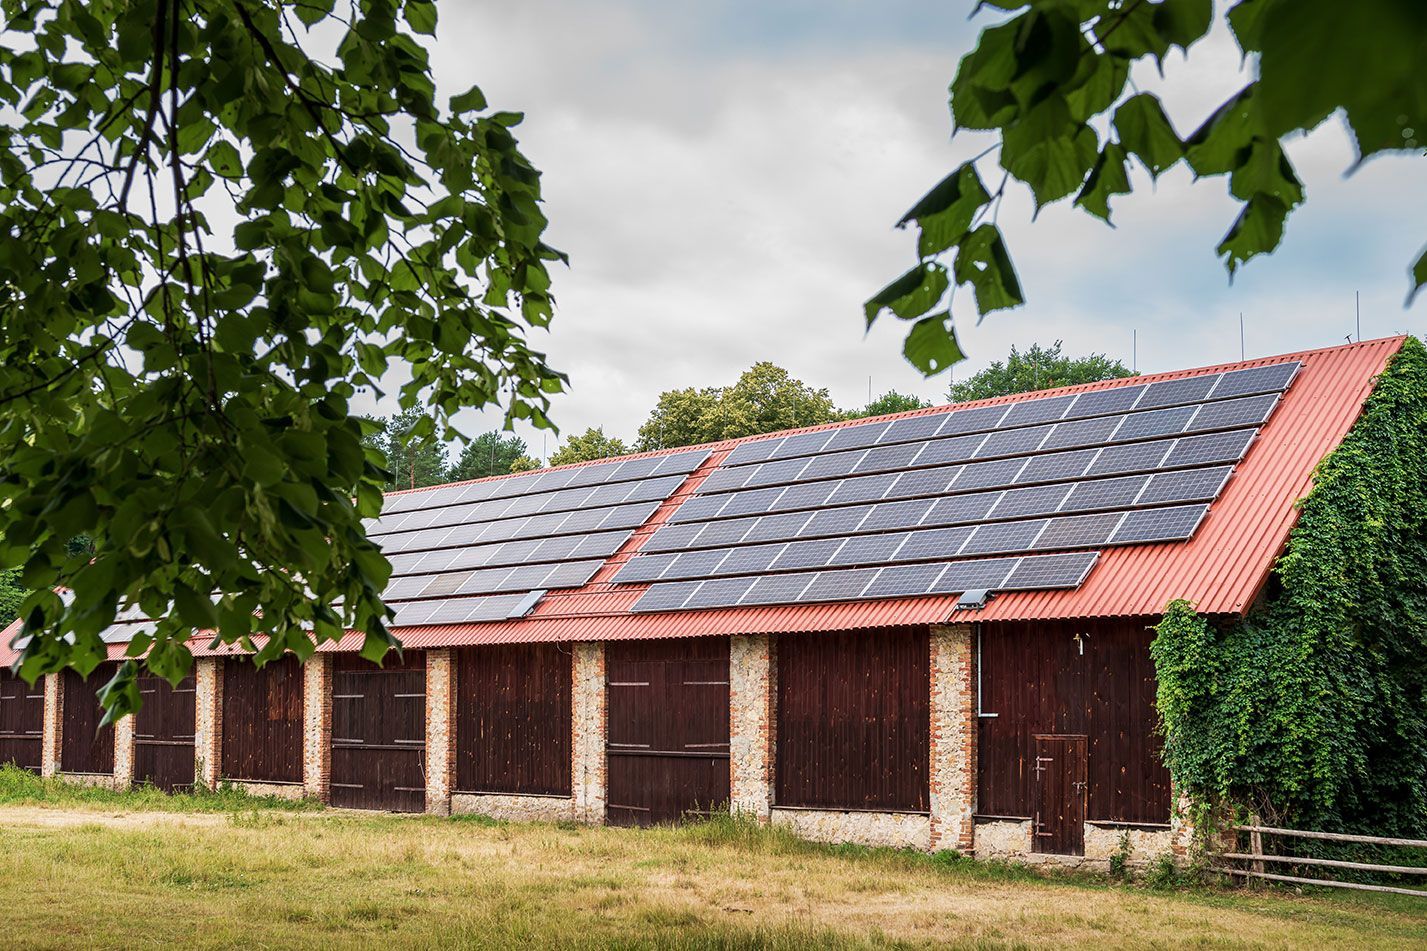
(1314, 710)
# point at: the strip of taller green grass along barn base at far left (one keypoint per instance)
(22, 788)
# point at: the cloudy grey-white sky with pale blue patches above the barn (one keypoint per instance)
(726, 179)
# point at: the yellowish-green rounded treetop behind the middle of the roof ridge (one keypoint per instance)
(766, 399)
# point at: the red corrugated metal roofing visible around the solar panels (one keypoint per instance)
(1222, 569)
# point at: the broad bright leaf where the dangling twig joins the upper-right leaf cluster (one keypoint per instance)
(1050, 152)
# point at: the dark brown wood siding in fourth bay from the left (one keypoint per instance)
(263, 720)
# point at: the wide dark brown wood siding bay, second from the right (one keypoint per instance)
(854, 720)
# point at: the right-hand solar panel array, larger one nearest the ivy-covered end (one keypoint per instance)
(1017, 496)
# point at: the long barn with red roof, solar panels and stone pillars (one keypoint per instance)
(927, 630)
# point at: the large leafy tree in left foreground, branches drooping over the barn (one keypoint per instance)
(210, 242)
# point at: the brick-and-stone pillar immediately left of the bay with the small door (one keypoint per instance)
(954, 739)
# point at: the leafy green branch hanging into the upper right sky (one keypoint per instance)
(1052, 85)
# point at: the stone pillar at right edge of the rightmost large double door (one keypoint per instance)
(751, 725)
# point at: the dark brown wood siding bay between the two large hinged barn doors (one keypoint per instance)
(513, 720)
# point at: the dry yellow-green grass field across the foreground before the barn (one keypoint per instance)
(128, 870)
